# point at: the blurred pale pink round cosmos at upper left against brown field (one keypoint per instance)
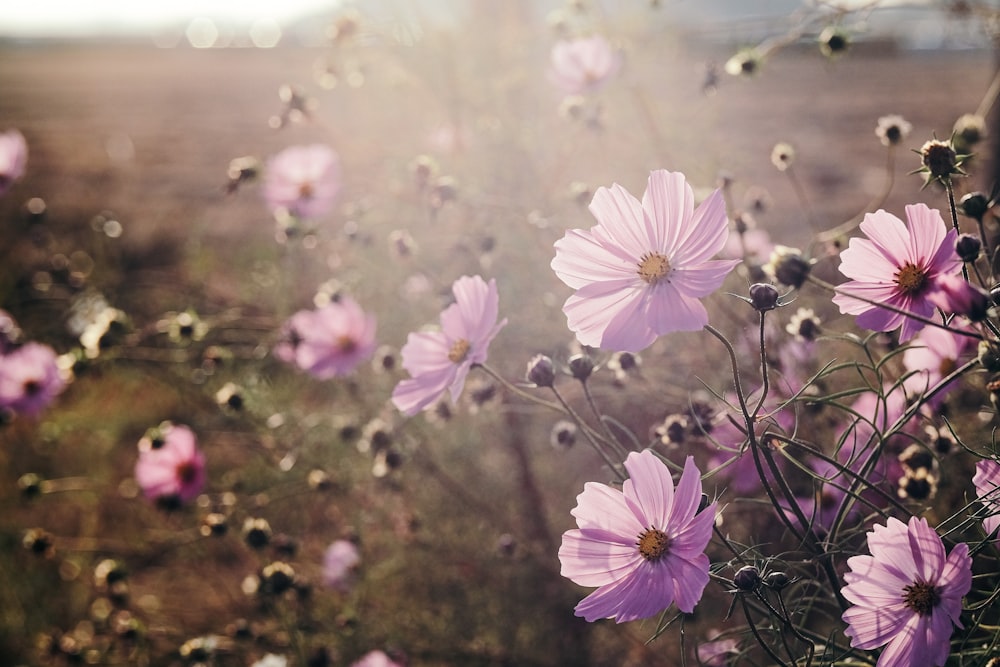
(302, 180)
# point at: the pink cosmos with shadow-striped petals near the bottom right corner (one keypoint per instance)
(906, 594)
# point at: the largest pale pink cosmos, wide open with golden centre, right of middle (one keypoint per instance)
(641, 271)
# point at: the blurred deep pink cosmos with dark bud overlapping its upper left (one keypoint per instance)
(170, 466)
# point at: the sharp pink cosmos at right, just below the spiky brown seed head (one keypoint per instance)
(897, 265)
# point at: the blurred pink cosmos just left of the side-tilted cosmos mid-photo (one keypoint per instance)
(330, 341)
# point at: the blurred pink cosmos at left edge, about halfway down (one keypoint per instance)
(29, 378)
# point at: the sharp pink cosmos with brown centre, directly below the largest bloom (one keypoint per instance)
(643, 546)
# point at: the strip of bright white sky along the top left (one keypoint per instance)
(83, 17)
